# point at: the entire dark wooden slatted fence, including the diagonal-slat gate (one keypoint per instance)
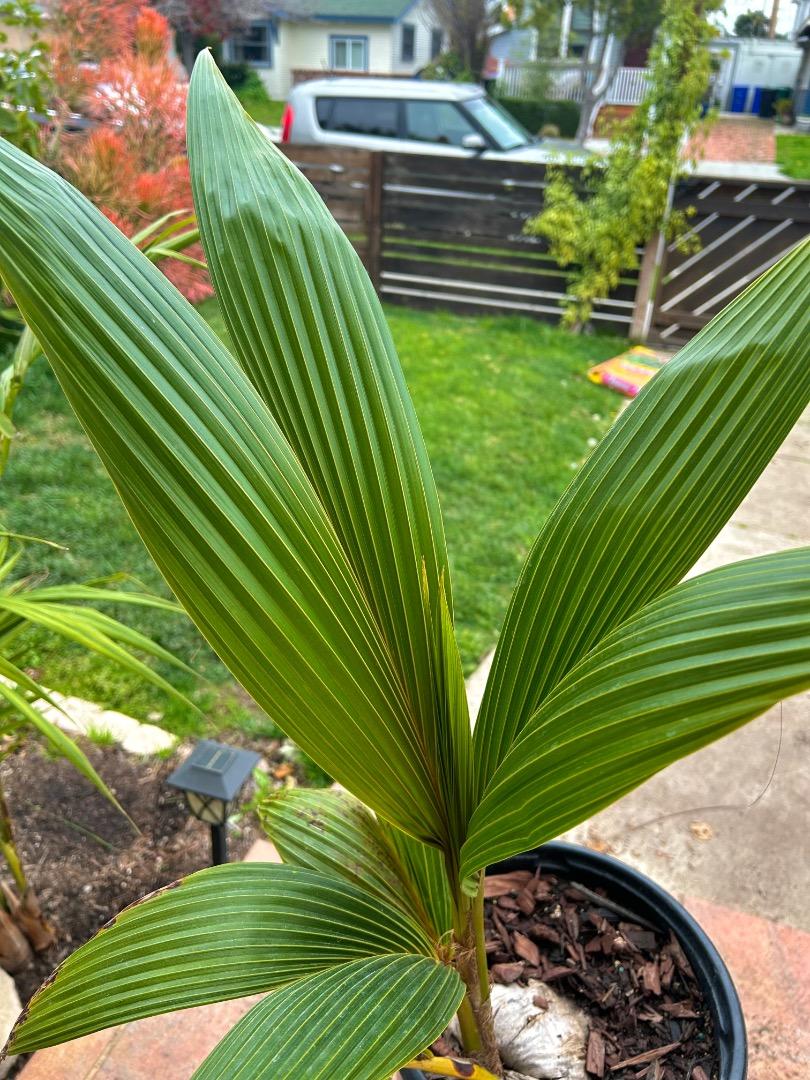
(448, 233)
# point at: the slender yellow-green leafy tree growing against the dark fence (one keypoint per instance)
(633, 185)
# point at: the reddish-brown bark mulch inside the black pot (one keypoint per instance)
(649, 1020)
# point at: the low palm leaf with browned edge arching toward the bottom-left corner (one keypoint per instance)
(224, 933)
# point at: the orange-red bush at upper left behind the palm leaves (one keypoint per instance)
(132, 164)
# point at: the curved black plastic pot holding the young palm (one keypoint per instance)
(643, 897)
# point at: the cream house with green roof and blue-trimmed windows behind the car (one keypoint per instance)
(317, 37)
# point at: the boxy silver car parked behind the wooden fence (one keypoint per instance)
(410, 116)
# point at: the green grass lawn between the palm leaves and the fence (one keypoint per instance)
(508, 415)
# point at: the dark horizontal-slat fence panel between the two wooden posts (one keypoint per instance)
(453, 238)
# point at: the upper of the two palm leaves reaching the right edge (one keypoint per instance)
(653, 496)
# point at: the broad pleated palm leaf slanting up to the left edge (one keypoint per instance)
(220, 498)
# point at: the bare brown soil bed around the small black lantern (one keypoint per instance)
(84, 858)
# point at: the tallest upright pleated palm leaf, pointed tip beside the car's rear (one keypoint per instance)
(309, 331)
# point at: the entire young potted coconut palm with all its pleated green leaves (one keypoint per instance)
(286, 493)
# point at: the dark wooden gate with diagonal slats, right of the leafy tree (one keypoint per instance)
(745, 227)
